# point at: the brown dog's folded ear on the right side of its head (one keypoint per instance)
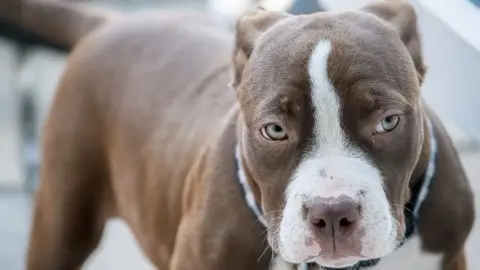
(401, 14)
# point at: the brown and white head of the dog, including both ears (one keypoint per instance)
(333, 127)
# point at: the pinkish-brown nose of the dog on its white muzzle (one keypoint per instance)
(333, 217)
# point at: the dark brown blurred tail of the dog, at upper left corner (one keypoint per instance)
(61, 22)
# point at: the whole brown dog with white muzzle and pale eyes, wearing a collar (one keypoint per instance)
(302, 138)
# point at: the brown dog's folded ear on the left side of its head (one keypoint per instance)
(249, 27)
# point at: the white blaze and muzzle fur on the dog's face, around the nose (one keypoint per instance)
(333, 167)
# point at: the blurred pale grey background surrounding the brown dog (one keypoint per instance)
(30, 69)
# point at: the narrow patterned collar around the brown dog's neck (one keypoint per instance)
(411, 212)
